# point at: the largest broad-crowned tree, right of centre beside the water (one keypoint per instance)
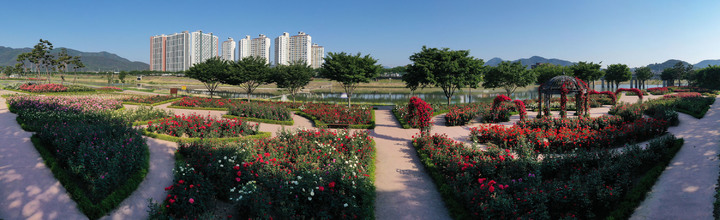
(448, 69)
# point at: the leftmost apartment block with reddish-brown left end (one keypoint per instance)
(179, 51)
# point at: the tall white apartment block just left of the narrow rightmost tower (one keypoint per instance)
(299, 48)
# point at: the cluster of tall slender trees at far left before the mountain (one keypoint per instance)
(41, 58)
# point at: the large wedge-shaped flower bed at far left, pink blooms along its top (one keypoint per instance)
(98, 158)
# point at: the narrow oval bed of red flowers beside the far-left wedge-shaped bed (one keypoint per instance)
(195, 126)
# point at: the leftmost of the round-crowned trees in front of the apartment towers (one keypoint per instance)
(211, 73)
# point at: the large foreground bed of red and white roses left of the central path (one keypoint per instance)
(304, 175)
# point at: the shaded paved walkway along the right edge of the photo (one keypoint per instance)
(686, 188)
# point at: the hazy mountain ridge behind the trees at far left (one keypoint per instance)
(94, 61)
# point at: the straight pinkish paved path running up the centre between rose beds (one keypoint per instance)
(404, 190)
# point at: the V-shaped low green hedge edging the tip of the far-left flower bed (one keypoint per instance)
(87, 207)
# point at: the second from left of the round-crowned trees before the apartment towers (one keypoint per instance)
(249, 73)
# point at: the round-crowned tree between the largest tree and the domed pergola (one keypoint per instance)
(509, 76)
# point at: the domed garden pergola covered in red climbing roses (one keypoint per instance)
(563, 85)
